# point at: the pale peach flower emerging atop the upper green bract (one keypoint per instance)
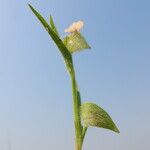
(76, 26)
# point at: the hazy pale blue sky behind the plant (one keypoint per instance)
(35, 89)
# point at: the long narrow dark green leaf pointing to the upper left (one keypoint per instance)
(64, 51)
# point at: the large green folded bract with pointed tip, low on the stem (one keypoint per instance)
(93, 115)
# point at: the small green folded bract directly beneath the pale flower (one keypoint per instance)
(75, 42)
